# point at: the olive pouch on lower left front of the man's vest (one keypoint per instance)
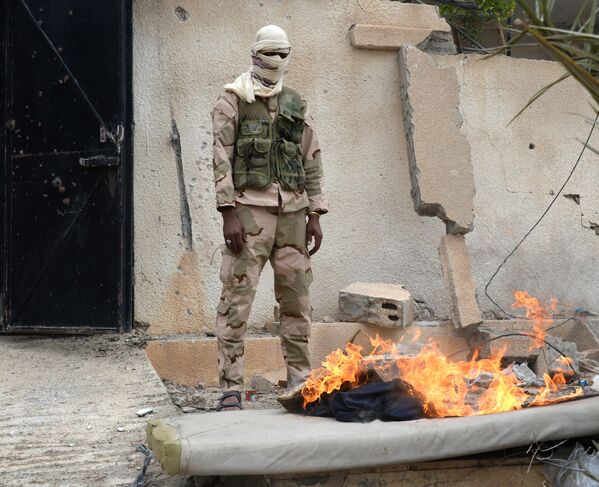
(252, 168)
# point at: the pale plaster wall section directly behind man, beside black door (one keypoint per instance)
(180, 67)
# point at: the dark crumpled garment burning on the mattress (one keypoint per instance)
(388, 401)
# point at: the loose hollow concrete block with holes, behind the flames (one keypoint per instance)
(378, 303)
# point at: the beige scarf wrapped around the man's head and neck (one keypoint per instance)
(265, 77)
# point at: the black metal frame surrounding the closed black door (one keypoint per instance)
(126, 282)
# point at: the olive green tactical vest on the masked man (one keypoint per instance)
(268, 150)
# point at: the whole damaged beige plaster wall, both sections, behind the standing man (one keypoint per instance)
(185, 51)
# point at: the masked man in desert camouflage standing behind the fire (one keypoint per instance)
(270, 192)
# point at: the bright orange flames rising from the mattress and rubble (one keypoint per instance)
(448, 388)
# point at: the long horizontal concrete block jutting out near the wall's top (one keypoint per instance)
(392, 38)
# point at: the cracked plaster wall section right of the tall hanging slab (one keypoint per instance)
(514, 183)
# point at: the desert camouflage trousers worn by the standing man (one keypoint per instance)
(281, 238)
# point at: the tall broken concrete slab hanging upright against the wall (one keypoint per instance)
(438, 151)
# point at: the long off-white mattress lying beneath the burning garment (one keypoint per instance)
(276, 442)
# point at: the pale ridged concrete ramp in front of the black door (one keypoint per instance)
(62, 403)
